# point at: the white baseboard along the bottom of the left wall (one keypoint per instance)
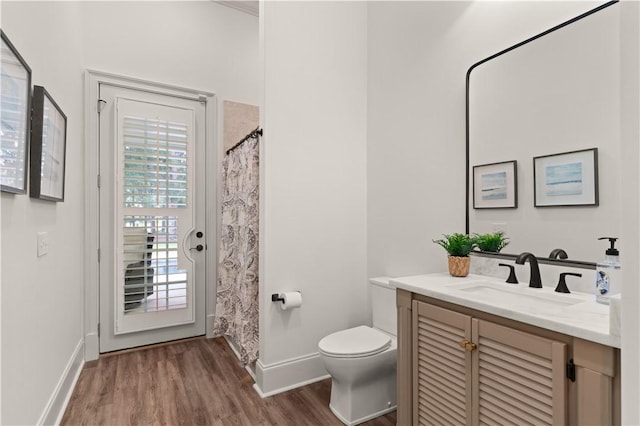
(52, 414)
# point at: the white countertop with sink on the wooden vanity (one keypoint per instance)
(575, 314)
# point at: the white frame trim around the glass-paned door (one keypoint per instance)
(93, 79)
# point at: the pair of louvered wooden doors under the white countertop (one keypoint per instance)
(471, 371)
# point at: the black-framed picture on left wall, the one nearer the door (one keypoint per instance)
(48, 146)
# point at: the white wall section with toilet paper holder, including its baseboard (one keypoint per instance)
(313, 182)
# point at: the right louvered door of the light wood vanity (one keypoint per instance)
(519, 378)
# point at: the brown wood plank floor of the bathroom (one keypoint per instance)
(193, 382)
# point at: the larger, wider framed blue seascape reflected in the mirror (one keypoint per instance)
(566, 179)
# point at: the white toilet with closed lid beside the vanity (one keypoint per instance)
(362, 361)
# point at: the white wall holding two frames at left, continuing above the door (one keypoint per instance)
(200, 45)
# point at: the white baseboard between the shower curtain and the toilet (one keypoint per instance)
(289, 374)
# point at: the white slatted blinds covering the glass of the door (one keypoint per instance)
(155, 166)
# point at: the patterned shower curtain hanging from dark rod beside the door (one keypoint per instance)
(237, 291)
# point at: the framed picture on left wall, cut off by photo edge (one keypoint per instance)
(15, 97)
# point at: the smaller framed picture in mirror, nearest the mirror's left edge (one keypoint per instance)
(495, 186)
